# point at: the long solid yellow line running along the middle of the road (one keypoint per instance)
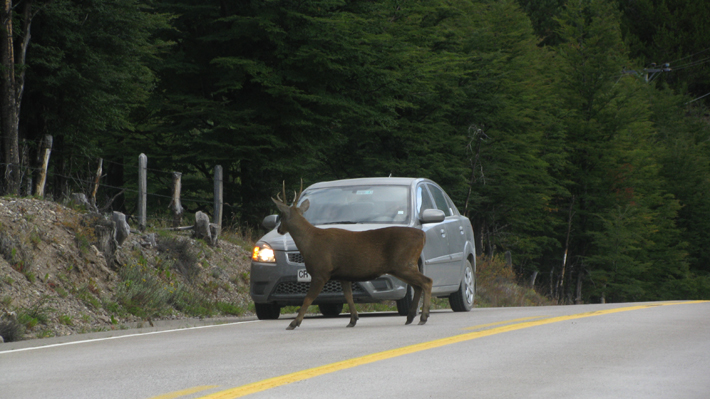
(346, 364)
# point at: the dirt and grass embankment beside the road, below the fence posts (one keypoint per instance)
(54, 279)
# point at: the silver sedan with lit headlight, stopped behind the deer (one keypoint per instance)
(278, 274)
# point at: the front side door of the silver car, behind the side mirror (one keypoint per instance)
(436, 251)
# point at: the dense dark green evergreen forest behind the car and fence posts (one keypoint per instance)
(574, 134)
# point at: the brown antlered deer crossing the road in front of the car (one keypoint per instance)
(350, 256)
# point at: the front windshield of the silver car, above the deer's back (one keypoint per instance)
(358, 204)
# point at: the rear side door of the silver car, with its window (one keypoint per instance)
(455, 234)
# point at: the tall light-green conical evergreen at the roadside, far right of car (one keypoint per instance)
(613, 173)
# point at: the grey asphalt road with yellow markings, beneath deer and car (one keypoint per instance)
(635, 350)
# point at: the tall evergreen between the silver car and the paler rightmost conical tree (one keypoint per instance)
(510, 94)
